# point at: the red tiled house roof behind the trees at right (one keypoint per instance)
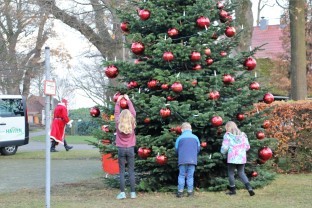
(271, 36)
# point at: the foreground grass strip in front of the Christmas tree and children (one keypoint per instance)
(286, 191)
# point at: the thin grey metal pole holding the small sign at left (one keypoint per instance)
(47, 129)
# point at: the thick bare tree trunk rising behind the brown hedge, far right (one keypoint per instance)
(298, 50)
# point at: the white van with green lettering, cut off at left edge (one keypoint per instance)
(14, 128)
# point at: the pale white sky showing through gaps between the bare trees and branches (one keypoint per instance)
(72, 41)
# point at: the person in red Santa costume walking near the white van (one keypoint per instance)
(59, 122)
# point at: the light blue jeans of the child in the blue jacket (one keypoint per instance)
(186, 172)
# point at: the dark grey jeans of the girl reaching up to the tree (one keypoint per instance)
(126, 155)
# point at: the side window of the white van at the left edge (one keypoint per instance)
(11, 107)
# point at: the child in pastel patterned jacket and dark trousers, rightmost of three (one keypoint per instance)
(235, 144)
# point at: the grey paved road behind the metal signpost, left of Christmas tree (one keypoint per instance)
(18, 174)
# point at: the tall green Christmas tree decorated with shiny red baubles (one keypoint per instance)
(183, 70)
